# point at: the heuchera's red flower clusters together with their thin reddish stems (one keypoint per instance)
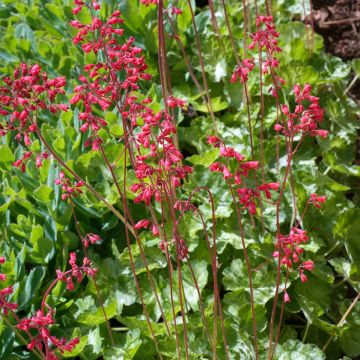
(150, 145)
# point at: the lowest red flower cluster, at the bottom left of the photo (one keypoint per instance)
(43, 339)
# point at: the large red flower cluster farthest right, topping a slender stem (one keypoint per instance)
(303, 120)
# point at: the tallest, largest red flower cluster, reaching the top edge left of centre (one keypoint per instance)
(109, 83)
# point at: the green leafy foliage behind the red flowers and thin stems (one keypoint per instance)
(37, 230)
